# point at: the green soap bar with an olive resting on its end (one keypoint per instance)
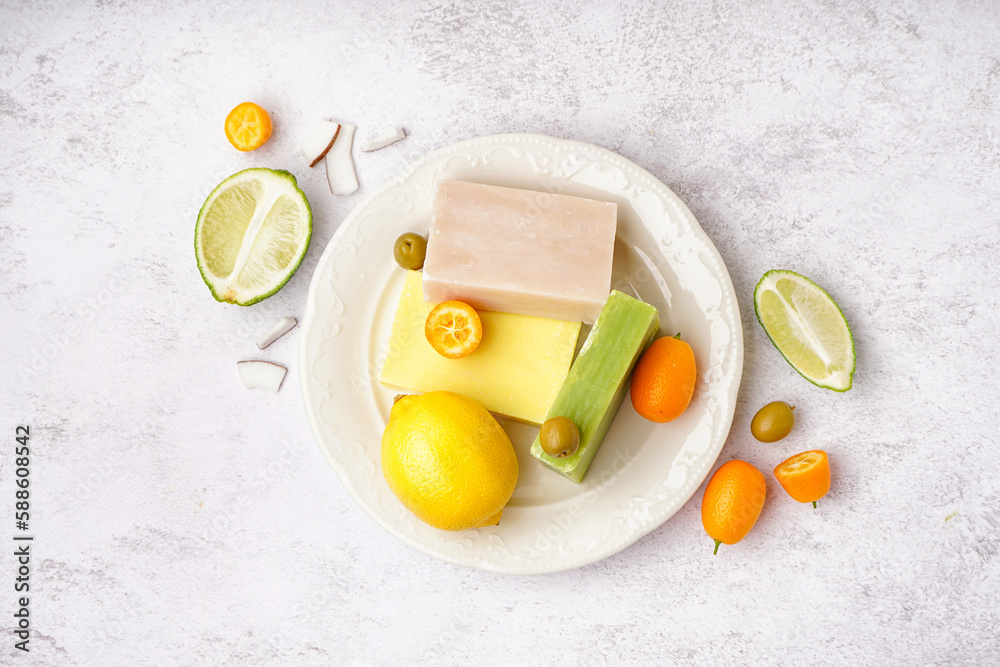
(597, 381)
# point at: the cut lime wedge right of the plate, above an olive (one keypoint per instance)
(807, 327)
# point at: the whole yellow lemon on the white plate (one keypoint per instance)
(448, 460)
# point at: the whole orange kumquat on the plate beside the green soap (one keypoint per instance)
(663, 381)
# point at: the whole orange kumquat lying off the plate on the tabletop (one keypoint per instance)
(732, 502)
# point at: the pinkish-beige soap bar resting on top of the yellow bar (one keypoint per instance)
(520, 251)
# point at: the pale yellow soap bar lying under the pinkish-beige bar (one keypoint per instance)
(516, 371)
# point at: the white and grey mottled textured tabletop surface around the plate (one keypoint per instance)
(181, 519)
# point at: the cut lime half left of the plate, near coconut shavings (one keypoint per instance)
(252, 233)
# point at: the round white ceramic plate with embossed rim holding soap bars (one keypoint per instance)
(643, 473)
